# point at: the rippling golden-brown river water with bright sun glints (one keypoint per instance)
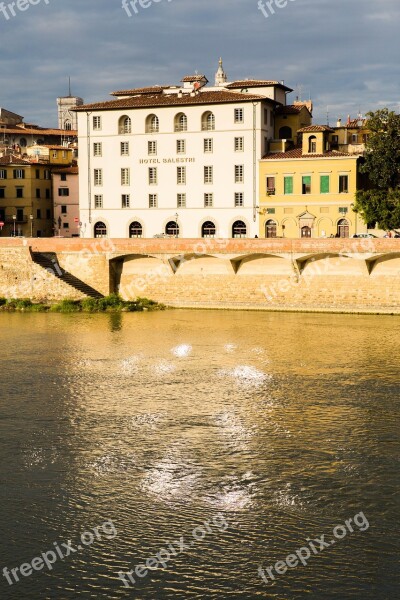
(223, 442)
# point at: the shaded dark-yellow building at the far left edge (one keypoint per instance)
(26, 205)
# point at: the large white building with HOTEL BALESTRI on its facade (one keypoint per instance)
(176, 160)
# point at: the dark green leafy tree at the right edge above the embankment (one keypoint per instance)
(381, 203)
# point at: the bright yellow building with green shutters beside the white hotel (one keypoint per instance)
(309, 191)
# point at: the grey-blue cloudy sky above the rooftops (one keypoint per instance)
(344, 54)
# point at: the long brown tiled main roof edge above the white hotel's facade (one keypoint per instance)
(206, 97)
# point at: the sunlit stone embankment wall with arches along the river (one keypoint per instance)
(343, 275)
